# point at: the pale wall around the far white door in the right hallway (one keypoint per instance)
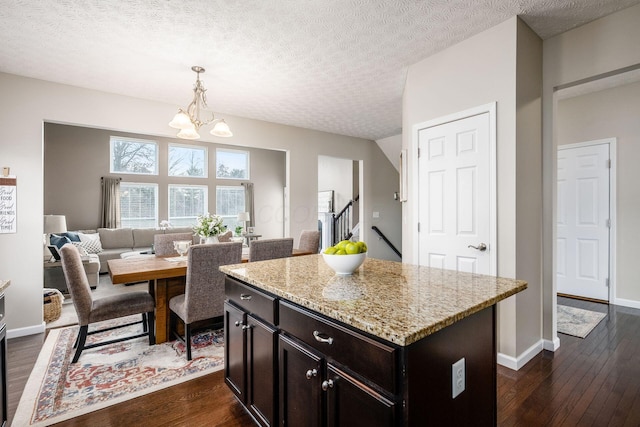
(615, 113)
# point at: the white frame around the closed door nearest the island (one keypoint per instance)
(489, 108)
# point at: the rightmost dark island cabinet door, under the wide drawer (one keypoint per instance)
(351, 403)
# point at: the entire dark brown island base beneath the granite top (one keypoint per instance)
(292, 366)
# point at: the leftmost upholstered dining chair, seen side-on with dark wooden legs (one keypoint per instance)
(90, 310)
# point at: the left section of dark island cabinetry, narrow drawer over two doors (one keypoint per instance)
(250, 350)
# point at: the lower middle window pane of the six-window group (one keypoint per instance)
(186, 202)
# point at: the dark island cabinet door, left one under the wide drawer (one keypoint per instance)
(301, 398)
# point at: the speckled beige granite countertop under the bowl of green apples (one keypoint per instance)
(400, 303)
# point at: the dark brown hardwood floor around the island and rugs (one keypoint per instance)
(587, 382)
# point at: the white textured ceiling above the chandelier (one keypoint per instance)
(331, 65)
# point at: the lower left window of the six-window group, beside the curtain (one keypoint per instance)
(138, 205)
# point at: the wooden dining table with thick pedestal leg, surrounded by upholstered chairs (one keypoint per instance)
(166, 280)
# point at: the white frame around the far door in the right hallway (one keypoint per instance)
(611, 142)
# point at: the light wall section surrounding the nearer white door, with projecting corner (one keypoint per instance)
(500, 65)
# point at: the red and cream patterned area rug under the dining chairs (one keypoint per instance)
(58, 390)
